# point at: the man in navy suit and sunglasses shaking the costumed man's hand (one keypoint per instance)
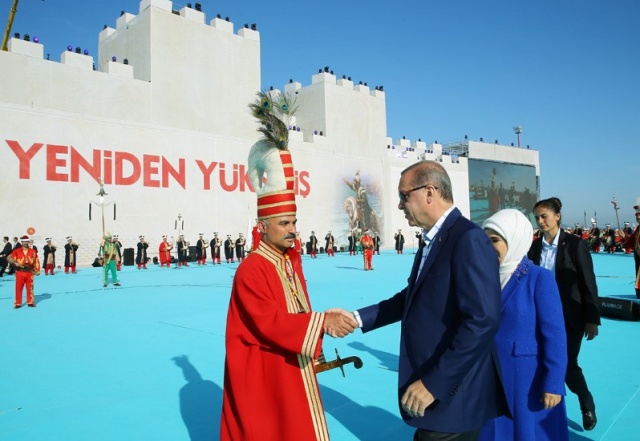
(449, 374)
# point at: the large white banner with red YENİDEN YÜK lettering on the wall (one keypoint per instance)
(52, 166)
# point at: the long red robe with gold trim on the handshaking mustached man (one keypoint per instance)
(273, 341)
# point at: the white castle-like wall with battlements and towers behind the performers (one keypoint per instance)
(170, 132)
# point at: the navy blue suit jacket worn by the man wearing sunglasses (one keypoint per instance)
(450, 316)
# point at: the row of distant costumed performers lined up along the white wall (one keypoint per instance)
(26, 264)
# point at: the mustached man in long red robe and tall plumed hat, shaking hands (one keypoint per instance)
(273, 338)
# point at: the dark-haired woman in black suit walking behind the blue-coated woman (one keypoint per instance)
(569, 259)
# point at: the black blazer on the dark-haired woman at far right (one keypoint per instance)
(575, 278)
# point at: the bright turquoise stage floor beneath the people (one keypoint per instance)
(145, 360)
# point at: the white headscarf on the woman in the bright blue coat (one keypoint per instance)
(517, 232)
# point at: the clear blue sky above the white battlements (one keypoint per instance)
(566, 71)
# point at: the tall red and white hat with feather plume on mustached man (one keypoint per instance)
(271, 156)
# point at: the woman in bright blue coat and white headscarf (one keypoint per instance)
(531, 341)
